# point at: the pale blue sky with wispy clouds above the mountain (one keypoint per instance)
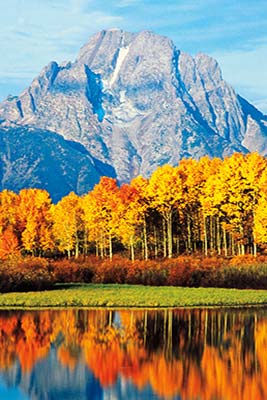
(34, 32)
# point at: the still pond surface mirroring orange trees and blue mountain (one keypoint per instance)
(133, 355)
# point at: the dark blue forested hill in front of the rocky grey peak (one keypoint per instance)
(31, 157)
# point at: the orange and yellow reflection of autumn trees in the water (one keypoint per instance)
(194, 353)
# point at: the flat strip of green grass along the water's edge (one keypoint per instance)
(76, 295)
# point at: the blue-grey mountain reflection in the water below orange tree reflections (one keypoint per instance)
(50, 380)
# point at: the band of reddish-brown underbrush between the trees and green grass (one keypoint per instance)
(24, 274)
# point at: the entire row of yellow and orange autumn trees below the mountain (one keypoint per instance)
(210, 206)
